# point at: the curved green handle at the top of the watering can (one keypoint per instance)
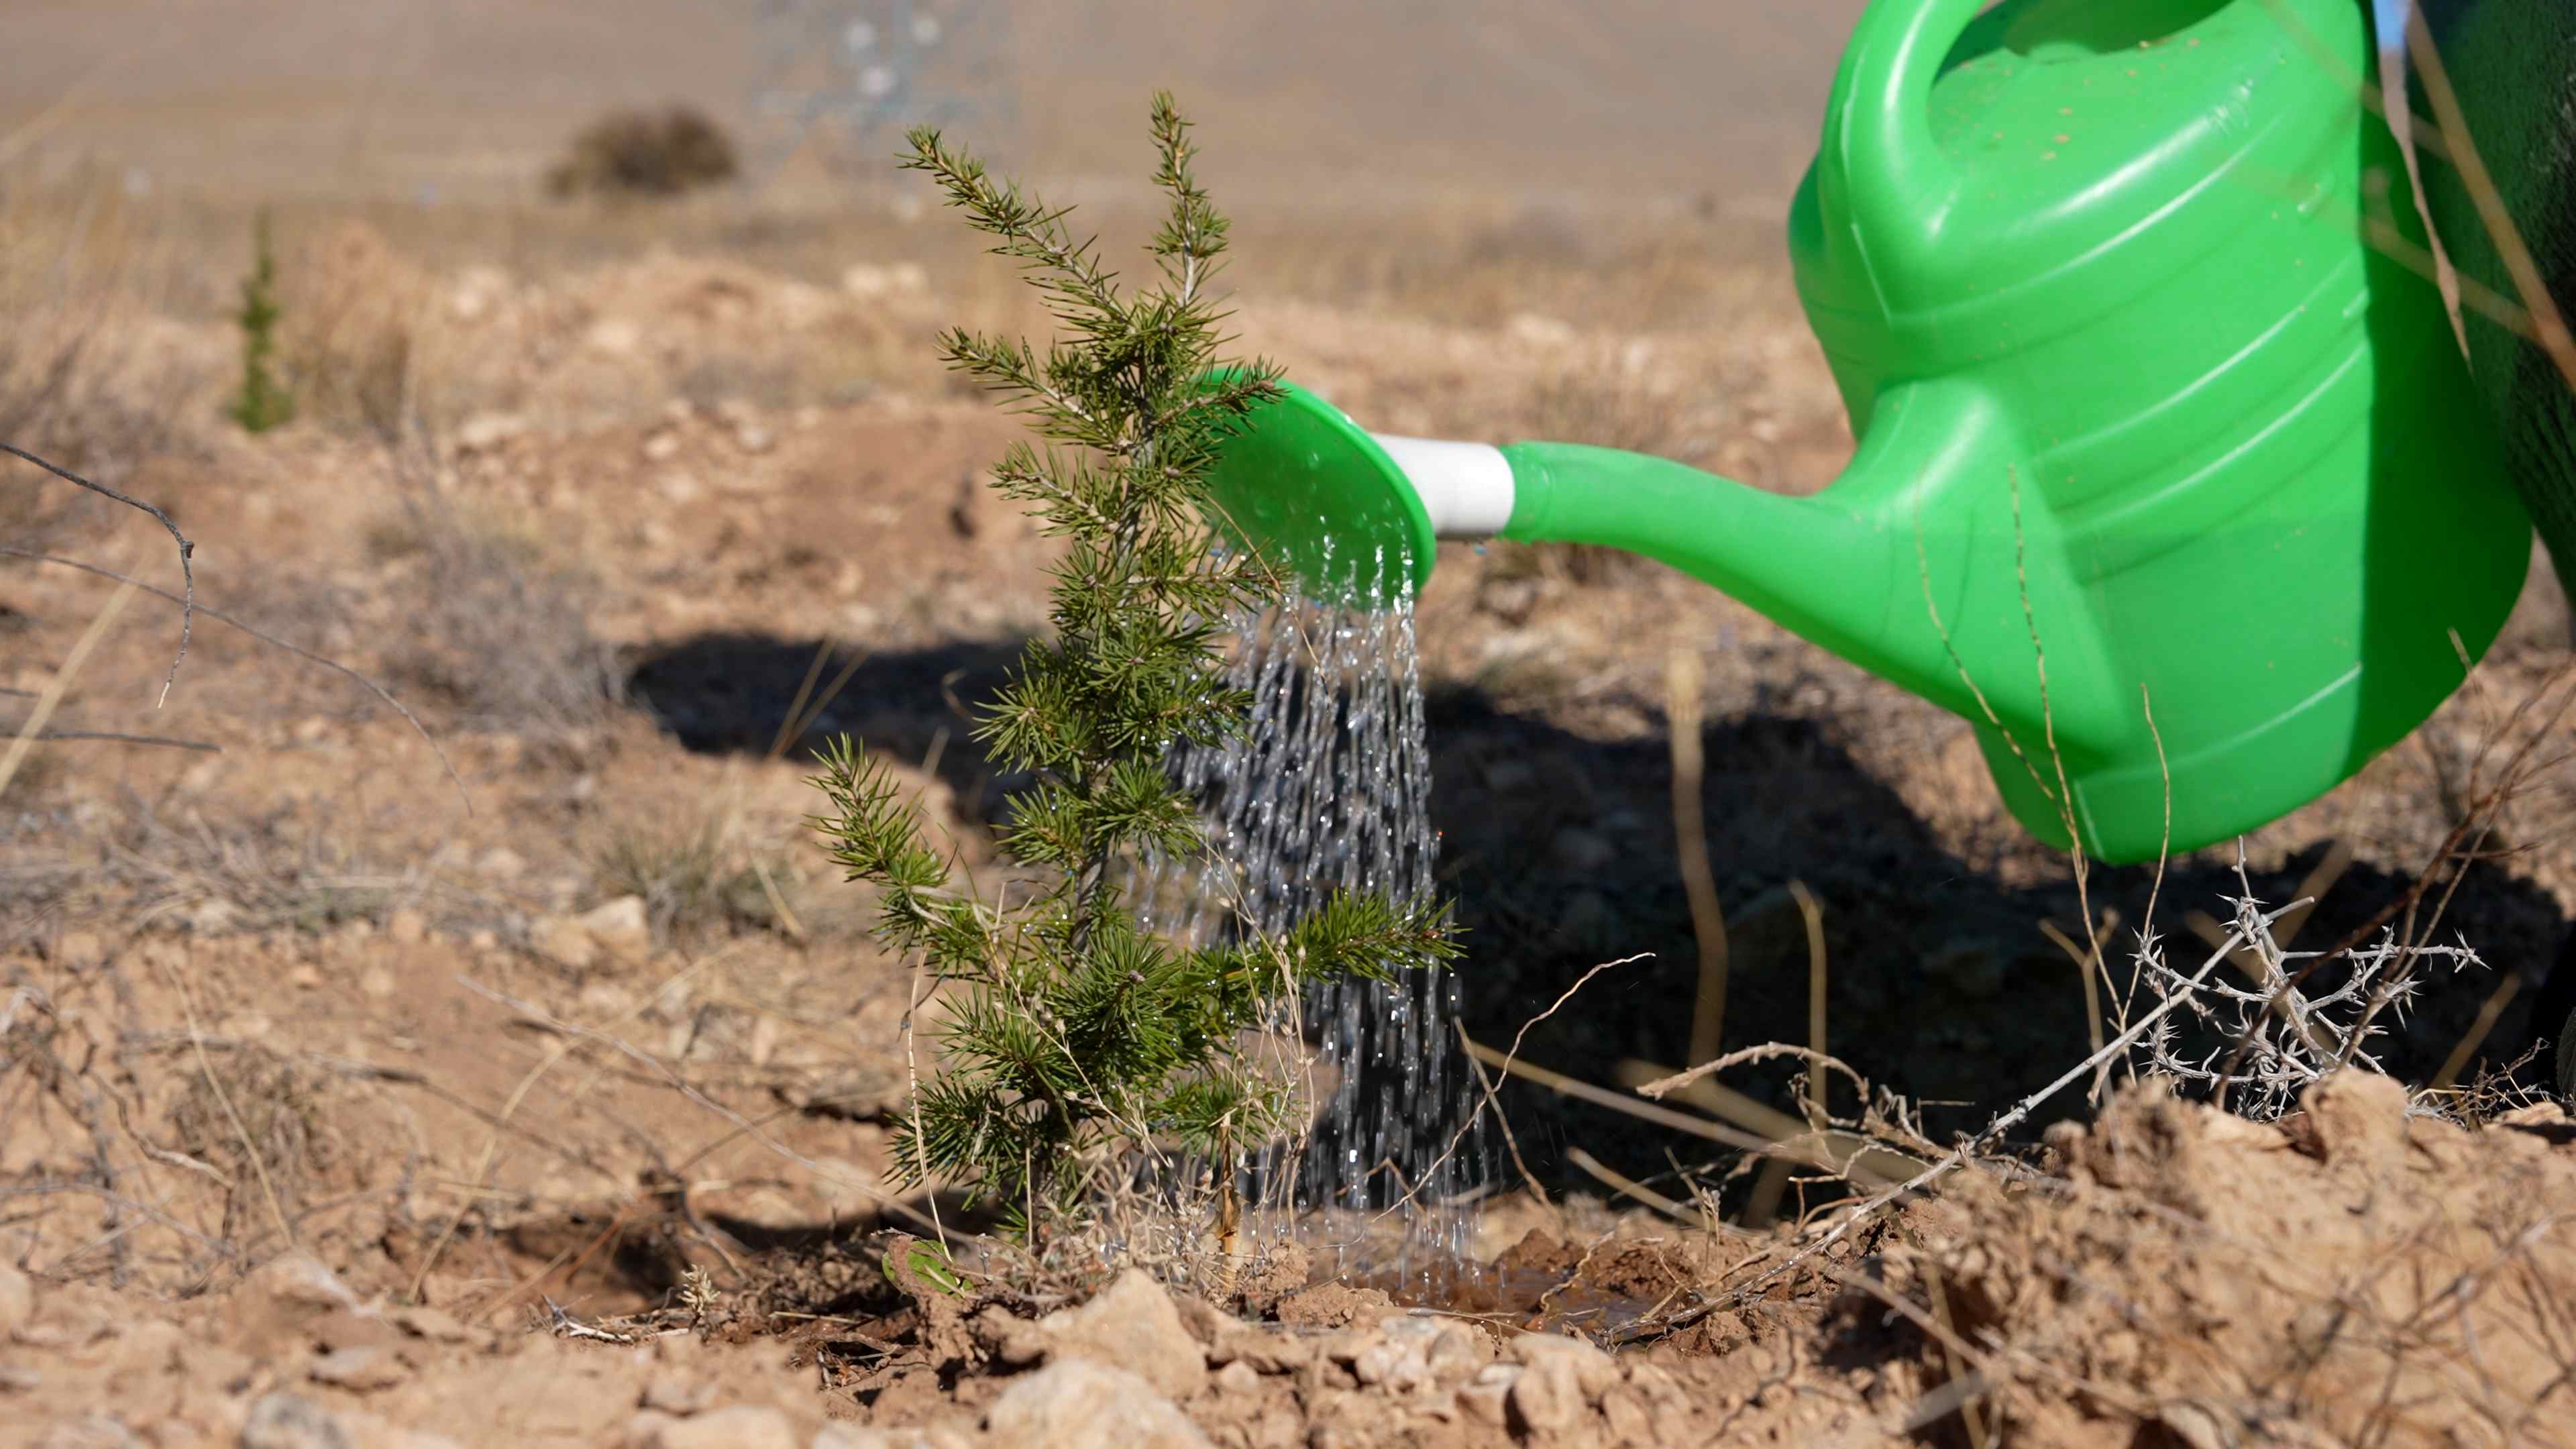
(1882, 166)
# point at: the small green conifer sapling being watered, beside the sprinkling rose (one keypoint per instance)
(1075, 1040)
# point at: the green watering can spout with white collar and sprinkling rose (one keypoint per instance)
(1928, 563)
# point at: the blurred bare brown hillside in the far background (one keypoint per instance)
(1315, 104)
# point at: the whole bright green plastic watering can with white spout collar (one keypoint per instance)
(2126, 378)
